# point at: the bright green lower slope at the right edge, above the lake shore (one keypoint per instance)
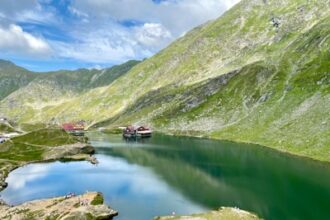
(295, 118)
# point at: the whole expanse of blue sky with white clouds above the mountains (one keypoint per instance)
(44, 35)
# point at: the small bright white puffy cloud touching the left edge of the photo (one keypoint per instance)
(14, 40)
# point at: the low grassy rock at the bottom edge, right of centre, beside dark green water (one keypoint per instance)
(221, 214)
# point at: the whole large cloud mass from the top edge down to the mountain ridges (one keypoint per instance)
(100, 38)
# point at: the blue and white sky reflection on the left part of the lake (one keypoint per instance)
(133, 190)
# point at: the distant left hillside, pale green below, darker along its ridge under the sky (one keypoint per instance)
(54, 88)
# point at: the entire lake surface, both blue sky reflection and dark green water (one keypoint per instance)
(165, 174)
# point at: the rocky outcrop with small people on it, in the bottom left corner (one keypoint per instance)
(87, 206)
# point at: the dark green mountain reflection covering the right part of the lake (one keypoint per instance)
(272, 184)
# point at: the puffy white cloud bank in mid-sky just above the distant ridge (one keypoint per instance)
(113, 43)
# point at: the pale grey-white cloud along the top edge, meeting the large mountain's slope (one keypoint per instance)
(176, 16)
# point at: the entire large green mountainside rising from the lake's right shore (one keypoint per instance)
(259, 74)
